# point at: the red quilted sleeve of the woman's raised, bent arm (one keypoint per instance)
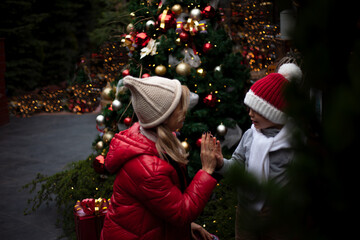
(161, 196)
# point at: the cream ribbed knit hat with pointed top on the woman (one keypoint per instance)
(153, 98)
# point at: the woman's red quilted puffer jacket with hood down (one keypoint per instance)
(147, 202)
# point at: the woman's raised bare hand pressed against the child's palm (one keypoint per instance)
(207, 154)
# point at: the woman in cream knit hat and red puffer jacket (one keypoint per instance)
(152, 198)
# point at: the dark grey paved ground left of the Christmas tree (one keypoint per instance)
(39, 144)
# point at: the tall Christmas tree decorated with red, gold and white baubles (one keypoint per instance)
(184, 41)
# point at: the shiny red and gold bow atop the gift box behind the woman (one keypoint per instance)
(90, 206)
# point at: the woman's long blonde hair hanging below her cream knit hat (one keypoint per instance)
(167, 143)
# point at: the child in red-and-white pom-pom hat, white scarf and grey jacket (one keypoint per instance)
(264, 150)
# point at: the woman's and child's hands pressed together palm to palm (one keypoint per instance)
(211, 155)
